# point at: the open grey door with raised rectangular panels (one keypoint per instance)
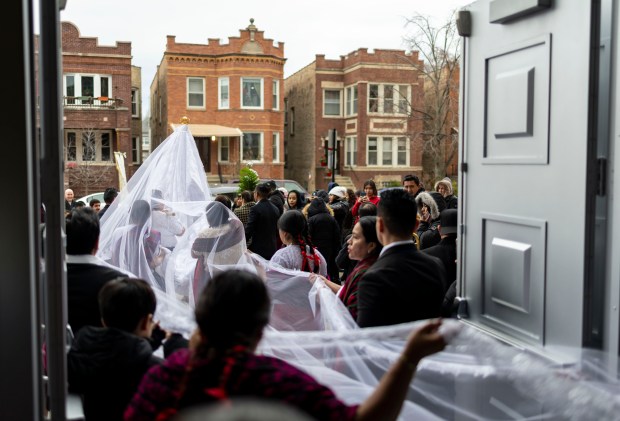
(525, 132)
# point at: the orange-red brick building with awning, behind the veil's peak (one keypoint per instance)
(231, 93)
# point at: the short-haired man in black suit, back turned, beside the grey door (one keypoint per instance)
(404, 284)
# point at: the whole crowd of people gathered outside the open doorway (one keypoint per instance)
(124, 258)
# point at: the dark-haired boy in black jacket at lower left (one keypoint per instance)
(105, 364)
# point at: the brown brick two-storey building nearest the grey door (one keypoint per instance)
(368, 98)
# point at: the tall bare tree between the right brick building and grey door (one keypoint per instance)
(438, 48)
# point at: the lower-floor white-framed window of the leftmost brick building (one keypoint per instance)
(88, 145)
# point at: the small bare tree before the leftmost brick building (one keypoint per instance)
(84, 175)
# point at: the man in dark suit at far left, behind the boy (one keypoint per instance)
(86, 273)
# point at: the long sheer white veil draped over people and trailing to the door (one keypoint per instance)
(476, 377)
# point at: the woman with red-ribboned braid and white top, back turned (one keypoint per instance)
(299, 252)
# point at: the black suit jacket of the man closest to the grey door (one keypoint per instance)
(403, 285)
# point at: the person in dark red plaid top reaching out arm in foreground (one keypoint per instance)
(221, 364)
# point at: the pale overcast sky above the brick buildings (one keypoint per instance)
(307, 28)
